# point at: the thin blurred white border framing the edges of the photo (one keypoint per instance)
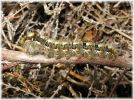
(71, 1)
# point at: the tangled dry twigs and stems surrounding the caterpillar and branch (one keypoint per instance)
(108, 22)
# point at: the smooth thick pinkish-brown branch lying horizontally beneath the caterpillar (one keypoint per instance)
(17, 56)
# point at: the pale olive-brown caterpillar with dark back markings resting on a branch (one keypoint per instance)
(58, 48)
